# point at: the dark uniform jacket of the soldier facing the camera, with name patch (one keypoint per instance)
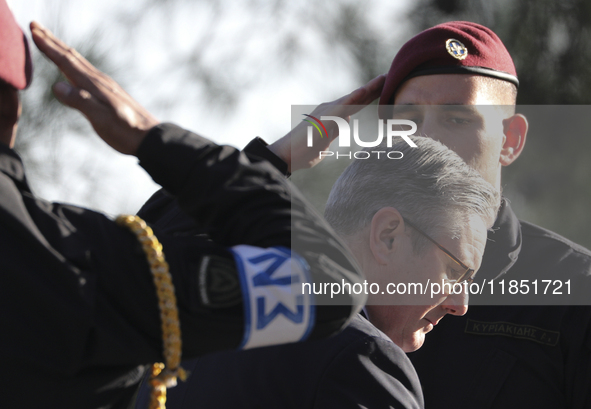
(515, 357)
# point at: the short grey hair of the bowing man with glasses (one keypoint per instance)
(430, 185)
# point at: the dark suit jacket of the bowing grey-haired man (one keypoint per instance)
(357, 368)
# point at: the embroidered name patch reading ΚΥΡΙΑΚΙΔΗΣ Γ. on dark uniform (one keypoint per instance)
(507, 329)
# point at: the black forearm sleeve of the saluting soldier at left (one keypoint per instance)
(243, 200)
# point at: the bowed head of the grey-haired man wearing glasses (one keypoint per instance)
(420, 219)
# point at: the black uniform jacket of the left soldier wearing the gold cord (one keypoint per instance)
(78, 308)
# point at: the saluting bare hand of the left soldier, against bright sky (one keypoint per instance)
(115, 116)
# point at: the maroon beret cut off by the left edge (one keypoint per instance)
(16, 68)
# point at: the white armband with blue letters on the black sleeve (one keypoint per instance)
(275, 309)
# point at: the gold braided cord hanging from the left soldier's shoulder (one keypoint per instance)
(163, 376)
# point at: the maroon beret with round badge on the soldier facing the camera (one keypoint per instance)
(457, 47)
